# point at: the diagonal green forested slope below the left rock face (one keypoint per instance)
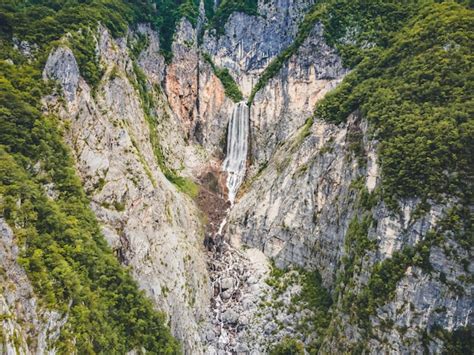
(67, 259)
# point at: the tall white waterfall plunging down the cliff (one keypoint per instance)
(237, 146)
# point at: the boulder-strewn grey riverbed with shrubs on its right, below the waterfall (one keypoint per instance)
(248, 314)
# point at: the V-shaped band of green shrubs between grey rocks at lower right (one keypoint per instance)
(387, 273)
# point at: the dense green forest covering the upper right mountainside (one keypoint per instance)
(417, 94)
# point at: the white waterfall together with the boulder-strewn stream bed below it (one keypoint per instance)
(229, 268)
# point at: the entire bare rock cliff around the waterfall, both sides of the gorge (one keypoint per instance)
(307, 186)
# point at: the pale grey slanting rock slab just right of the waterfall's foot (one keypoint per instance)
(298, 227)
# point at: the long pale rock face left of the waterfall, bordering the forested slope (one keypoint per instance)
(153, 228)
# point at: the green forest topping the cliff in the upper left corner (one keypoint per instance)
(43, 22)
